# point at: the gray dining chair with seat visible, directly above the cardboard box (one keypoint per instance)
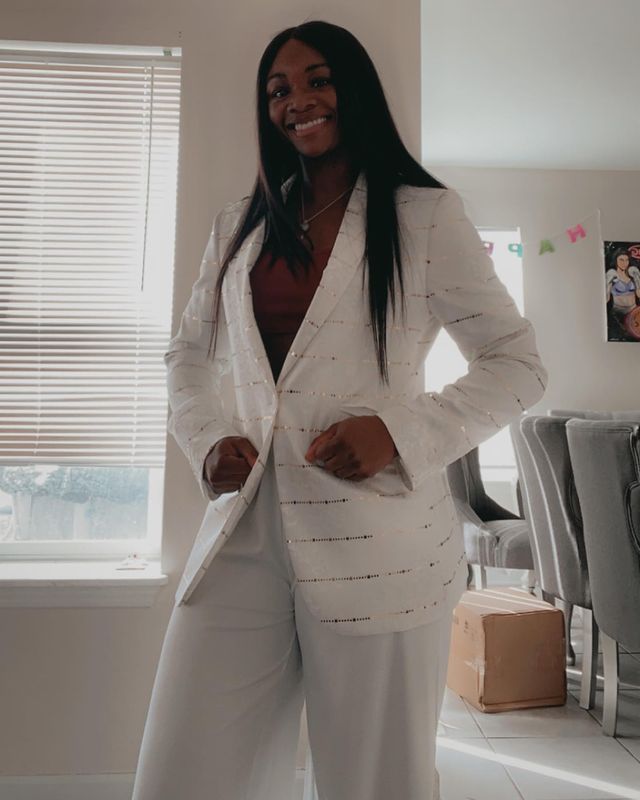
(493, 535)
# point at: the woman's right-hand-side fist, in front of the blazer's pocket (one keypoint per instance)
(354, 449)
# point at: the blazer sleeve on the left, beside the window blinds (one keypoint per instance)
(196, 419)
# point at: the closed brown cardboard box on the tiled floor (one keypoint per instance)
(507, 651)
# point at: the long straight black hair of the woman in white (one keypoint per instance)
(371, 139)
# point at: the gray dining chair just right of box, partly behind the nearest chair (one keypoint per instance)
(542, 454)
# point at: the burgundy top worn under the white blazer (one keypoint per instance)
(280, 302)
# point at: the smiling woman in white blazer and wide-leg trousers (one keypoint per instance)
(330, 558)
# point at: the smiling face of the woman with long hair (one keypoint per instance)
(299, 90)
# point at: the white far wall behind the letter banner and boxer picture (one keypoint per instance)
(564, 292)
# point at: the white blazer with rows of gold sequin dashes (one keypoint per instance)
(386, 553)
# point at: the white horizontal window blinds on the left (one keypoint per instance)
(88, 167)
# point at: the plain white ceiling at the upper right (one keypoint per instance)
(545, 84)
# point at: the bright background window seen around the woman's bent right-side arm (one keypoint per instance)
(446, 364)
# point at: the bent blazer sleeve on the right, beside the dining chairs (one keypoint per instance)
(505, 374)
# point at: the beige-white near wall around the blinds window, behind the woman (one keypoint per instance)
(75, 683)
